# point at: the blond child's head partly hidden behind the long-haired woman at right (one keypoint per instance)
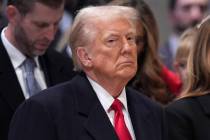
(185, 45)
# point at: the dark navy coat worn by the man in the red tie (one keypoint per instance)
(72, 111)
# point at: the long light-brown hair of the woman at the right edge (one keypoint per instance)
(198, 66)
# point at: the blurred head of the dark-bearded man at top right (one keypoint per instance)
(186, 13)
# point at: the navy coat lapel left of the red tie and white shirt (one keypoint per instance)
(97, 122)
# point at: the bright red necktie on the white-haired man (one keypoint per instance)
(119, 122)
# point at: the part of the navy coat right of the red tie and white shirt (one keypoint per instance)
(146, 114)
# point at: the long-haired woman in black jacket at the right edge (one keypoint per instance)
(188, 117)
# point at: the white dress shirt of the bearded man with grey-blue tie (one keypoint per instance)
(17, 58)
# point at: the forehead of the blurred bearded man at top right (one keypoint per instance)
(191, 2)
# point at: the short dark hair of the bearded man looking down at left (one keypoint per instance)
(25, 6)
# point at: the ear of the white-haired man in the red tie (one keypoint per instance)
(84, 57)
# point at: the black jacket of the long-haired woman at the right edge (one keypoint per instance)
(189, 118)
